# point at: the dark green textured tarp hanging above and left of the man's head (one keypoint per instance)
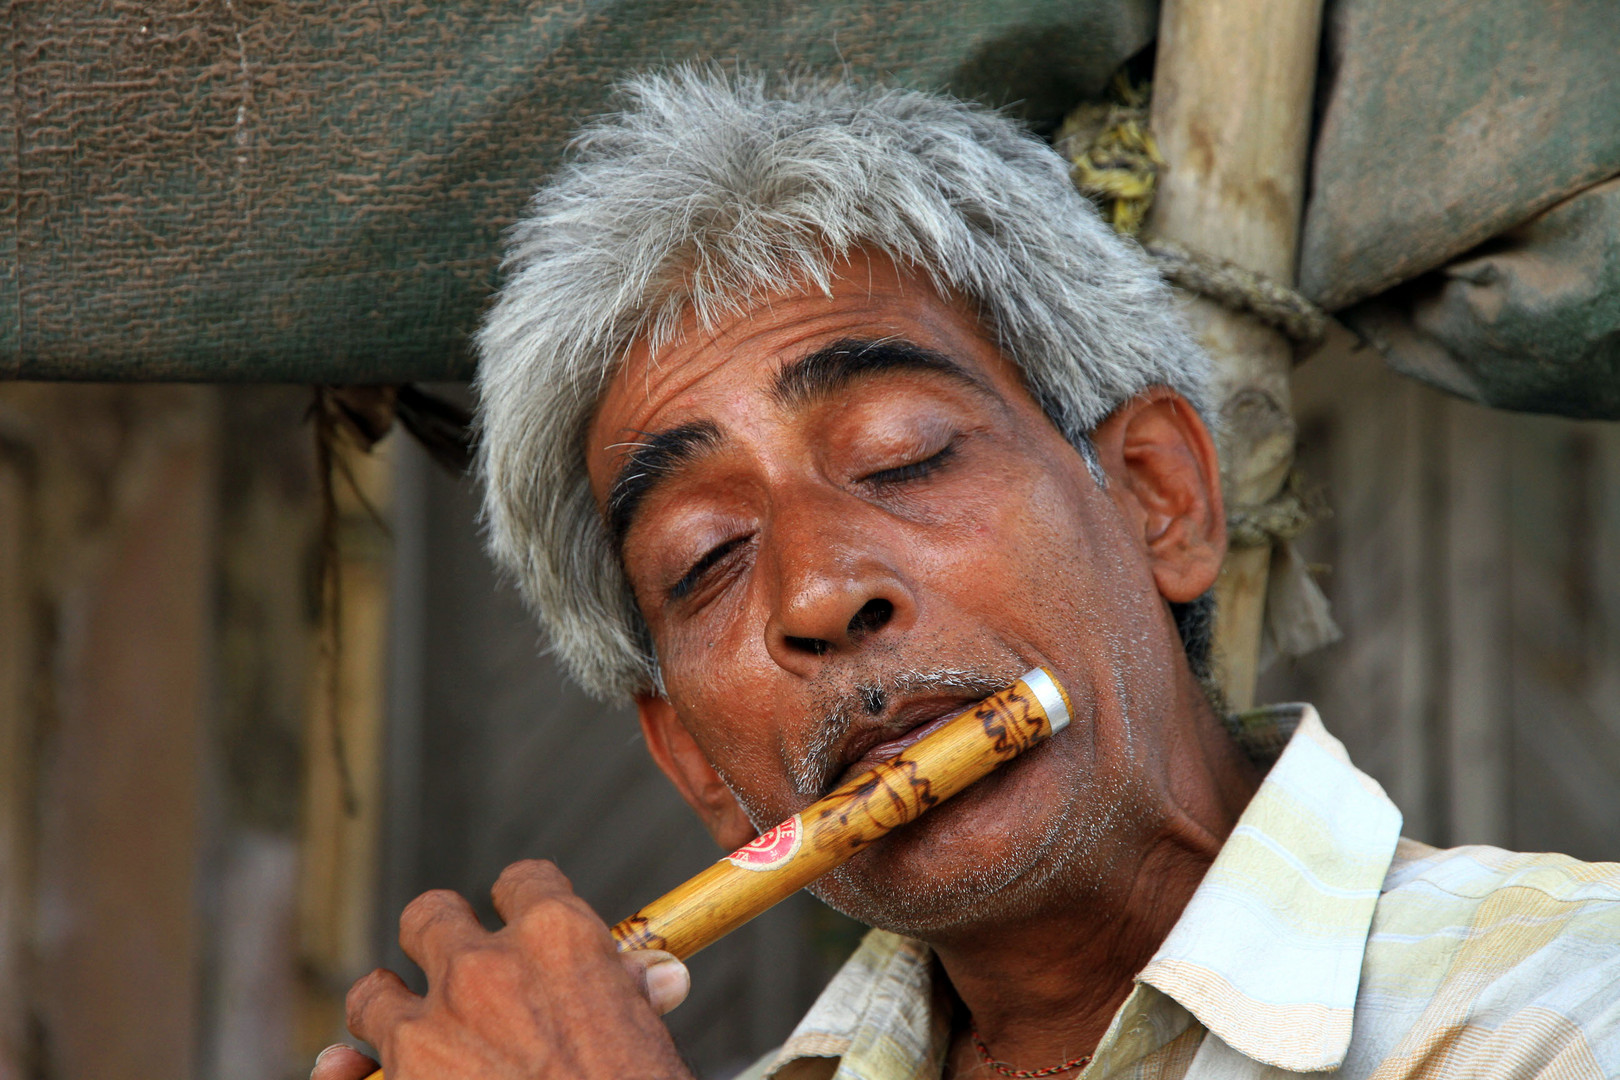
(302, 190)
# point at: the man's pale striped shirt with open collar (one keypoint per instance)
(1318, 942)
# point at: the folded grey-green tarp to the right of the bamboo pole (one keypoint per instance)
(1457, 181)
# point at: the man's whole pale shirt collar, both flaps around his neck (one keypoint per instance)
(1268, 955)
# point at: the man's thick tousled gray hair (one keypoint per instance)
(712, 190)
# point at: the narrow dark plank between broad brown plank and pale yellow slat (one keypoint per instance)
(257, 985)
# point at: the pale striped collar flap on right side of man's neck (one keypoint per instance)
(1268, 955)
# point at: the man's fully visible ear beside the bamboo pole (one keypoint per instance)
(1166, 478)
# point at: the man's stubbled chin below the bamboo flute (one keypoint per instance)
(995, 854)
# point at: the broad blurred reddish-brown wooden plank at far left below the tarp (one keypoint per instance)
(127, 551)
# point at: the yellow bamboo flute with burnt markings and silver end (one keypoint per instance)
(830, 831)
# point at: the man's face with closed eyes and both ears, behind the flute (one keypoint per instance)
(845, 517)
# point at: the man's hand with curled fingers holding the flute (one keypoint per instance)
(545, 997)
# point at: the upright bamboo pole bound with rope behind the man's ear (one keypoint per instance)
(1232, 114)
